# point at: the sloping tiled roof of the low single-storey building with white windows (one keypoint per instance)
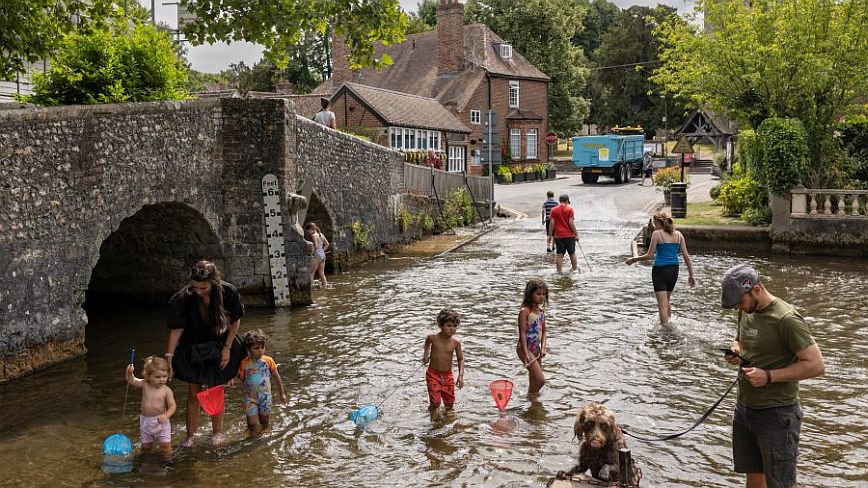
(406, 110)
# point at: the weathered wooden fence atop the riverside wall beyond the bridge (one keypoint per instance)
(430, 182)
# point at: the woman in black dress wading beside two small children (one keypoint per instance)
(203, 349)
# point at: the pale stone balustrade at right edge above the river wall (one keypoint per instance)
(826, 203)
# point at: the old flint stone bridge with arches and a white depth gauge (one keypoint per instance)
(113, 204)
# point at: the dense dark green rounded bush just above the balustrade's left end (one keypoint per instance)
(782, 153)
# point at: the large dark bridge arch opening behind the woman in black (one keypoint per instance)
(146, 259)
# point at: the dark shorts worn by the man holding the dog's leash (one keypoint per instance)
(766, 440)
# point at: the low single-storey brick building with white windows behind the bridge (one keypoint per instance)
(404, 122)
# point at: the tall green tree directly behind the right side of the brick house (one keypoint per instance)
(541, 30)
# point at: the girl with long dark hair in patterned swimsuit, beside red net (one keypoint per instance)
(531, 347)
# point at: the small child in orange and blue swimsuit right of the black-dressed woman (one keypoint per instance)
(256, 372)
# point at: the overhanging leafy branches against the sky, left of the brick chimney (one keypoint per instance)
(280, 25)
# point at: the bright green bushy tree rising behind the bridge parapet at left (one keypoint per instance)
(122, 64)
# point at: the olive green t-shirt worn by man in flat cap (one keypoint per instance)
(770, 339)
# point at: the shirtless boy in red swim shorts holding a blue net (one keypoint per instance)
(439, 348)
